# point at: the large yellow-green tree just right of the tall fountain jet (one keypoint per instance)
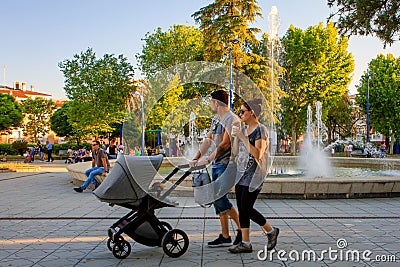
(318, 67)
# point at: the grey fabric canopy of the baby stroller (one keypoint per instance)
(129, 180)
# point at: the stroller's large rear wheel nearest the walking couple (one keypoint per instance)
(175, 243)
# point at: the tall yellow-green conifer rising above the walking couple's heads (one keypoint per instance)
(226, 27)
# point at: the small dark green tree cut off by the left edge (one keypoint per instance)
(11, 112)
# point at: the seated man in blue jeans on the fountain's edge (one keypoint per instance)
(100, 166)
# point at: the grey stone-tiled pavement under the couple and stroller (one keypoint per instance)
(44, 223)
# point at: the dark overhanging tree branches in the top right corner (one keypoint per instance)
(368, 17)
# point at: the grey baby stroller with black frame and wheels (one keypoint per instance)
(124, 187)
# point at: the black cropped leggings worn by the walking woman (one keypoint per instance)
(245, 202)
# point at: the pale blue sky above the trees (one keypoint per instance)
(37, 35)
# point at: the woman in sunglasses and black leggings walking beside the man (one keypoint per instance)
(251, 143)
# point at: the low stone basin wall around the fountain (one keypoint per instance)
(302, 187)
